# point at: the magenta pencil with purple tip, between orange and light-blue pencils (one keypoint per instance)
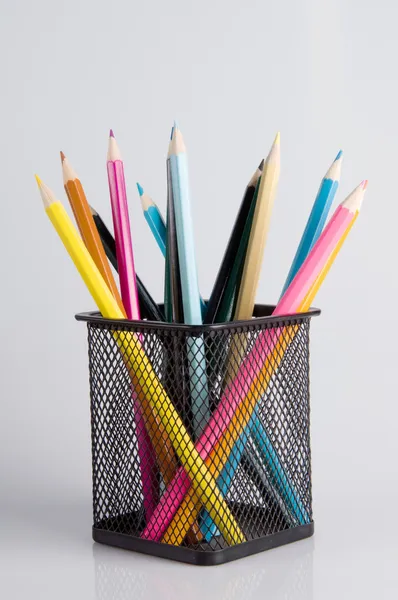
(128, 288)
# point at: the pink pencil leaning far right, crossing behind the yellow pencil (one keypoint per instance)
(252, 365)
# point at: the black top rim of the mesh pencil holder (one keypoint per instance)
(94, 317)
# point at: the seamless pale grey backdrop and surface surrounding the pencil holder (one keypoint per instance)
(323, 72)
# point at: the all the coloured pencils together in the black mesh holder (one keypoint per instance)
(193, 435)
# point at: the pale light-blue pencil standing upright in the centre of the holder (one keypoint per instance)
(189, 280)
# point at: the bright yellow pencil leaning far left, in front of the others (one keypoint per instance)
(130, 346)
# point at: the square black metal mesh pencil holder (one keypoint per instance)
(200, 435)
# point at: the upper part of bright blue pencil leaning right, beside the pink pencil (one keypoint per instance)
(317, 218)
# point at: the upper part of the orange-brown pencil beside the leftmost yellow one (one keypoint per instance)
(81, 210)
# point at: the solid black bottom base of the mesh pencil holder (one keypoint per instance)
(190, 555)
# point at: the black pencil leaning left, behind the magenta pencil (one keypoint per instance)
(148, 306)
